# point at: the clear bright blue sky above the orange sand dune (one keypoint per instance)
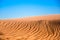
(23, 8)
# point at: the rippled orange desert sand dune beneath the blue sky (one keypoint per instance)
(31, 28)
